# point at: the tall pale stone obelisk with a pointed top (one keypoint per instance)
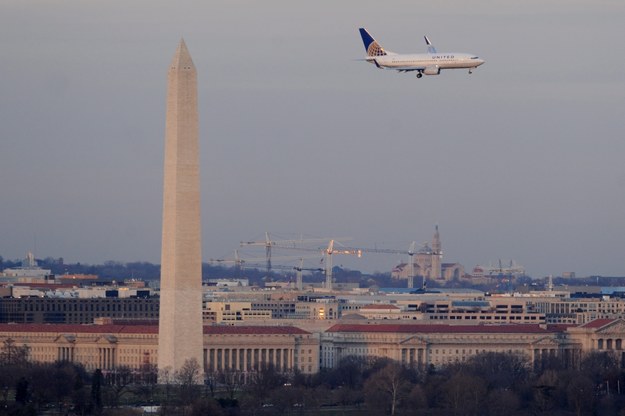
(180, 317)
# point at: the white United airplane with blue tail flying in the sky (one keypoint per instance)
(430, 63)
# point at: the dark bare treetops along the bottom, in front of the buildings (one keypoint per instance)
(488, 384)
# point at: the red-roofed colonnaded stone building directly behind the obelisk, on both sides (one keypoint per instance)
(109, 346)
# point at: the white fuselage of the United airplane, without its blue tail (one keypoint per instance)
(422, 61)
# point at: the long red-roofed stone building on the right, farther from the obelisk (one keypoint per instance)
(424, 345)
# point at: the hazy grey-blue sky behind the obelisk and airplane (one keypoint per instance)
(521, 160)
